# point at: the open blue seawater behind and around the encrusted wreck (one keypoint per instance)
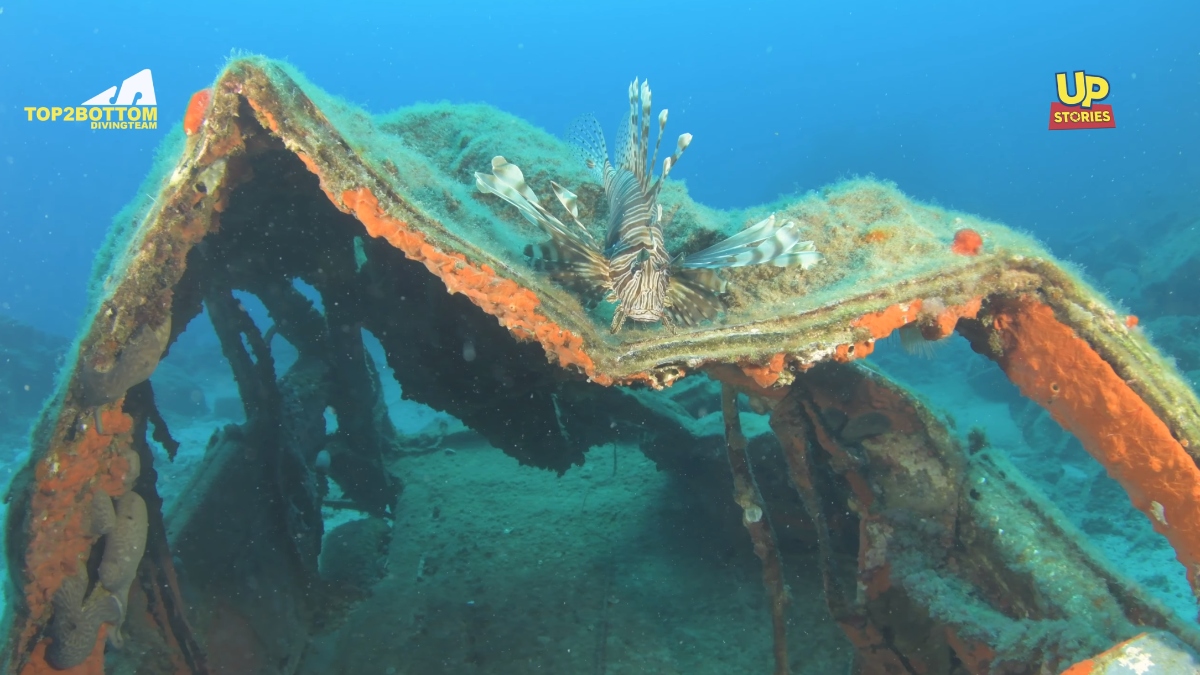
(950, 101)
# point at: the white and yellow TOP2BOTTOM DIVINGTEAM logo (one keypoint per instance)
(133, 105)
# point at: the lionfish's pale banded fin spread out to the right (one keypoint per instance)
(766, 242)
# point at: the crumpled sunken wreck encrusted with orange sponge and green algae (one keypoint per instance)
(935, 558)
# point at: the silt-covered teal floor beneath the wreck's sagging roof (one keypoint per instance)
(501, 569)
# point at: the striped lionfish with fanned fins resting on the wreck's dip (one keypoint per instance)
(634, 268)
